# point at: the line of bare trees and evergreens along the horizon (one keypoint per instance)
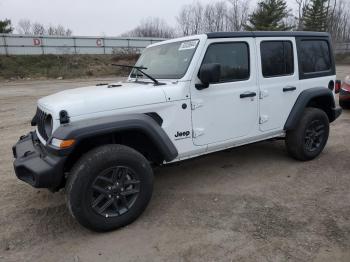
(331, 16)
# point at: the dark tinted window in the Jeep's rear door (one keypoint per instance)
(277, 58)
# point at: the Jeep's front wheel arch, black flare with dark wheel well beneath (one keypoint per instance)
(138, 131)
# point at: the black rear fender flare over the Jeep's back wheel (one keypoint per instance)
(303, 100)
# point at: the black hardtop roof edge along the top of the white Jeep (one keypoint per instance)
(267, 34)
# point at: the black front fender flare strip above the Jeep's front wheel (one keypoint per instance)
(106, 125)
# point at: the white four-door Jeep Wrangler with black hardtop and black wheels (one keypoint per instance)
(184, 98)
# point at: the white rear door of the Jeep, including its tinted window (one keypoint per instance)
(278, 79)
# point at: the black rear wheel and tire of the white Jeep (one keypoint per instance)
(310, 136)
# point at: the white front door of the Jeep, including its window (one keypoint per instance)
(227, 110)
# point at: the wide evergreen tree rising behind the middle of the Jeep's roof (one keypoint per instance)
(269, 16)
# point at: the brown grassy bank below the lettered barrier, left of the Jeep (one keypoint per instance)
(66, 66)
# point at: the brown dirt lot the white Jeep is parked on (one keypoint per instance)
(252, 203)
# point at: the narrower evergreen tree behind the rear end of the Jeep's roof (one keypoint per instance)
(316, 16)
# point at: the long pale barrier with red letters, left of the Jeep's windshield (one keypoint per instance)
(11, 44)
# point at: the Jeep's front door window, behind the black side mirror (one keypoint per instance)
(233, 58)
